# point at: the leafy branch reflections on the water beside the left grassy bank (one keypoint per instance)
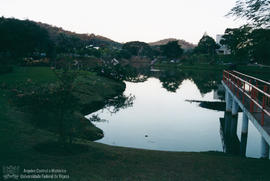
(114, 105)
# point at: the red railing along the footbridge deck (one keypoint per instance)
(251, 91)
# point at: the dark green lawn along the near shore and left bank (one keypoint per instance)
(18, 139)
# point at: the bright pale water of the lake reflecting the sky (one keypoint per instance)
(161, 119)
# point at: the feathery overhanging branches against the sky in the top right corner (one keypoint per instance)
(257, 12)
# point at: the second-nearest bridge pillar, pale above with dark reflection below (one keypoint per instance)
(244, 134)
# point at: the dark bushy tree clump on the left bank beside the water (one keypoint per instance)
(52, 106)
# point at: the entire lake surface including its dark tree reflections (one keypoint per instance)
(161, 112)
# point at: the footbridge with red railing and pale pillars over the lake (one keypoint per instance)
(252, 95)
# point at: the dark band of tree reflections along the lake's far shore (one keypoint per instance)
(171, 79)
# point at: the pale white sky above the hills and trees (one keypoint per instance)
(129, 20)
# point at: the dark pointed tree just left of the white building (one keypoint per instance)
(206, 45)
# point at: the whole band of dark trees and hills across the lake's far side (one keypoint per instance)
(22, 40)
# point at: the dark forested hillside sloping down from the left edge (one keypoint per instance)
(24, 37)
